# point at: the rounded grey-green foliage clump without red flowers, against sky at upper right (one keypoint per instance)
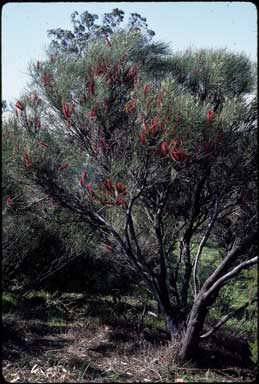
(213, 73)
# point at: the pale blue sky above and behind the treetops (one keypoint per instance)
(182, 24)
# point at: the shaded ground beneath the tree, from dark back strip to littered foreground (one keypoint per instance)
(75, 338)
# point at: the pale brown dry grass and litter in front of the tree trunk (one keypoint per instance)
(85, 350)
